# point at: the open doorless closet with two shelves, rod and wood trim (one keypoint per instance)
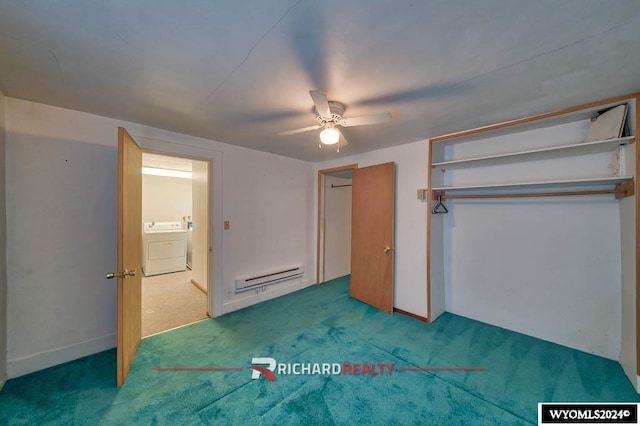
(533, 226)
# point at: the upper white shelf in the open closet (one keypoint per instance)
(537, 154)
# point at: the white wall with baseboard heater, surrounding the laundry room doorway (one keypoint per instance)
(61, 226)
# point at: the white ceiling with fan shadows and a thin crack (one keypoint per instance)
(239, 71)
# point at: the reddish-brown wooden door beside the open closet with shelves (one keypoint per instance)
(372, 235)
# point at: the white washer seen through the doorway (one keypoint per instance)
(164, 248)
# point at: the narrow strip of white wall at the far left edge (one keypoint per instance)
(3, 249)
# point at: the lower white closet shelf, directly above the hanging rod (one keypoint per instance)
(606, 182)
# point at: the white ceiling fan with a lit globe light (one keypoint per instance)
(329, 116)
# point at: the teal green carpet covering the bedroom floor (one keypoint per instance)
(320, 324)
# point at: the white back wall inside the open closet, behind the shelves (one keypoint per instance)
(546, 267)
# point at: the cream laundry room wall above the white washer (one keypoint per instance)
(165, 199)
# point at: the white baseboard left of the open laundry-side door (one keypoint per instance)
(17, 367)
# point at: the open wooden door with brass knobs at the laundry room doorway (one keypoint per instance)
(129, 272)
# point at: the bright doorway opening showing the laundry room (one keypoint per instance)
(175, 242)
